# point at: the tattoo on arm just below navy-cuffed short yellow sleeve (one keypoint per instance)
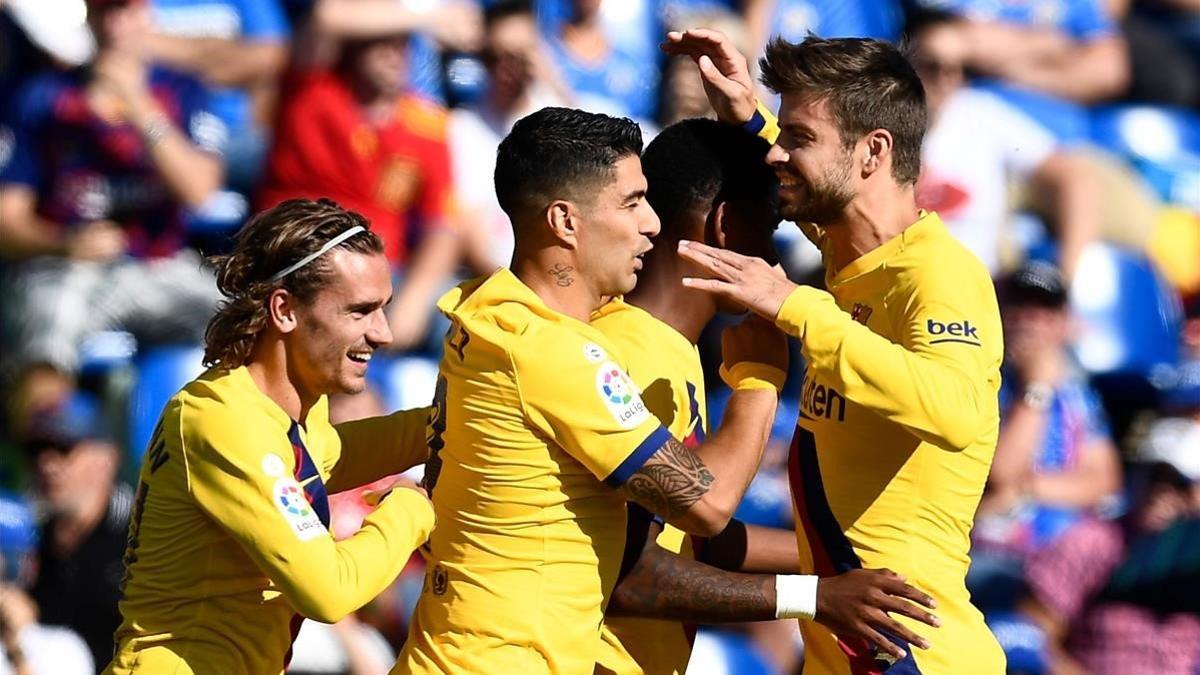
(670, 482)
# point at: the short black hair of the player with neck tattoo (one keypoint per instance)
(560, 153)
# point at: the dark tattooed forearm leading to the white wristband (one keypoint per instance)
(664, 586)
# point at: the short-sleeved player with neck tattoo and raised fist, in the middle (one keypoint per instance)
(541, 437)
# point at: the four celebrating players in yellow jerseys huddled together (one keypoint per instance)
(577, 509)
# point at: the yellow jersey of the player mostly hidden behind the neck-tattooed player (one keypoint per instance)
(665, 366)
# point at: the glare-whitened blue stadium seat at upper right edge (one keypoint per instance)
(1163, 144)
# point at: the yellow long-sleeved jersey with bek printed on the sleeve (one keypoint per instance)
(897, 432)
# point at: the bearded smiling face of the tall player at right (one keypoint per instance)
(812, 162)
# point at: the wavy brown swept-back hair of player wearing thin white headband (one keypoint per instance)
(269, 243)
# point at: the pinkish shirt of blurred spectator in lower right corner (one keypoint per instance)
(1108, 637)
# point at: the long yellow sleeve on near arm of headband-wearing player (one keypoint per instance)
(323, 580)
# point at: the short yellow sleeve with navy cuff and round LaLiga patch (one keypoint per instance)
(590, 408)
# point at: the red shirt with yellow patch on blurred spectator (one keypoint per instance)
(398, 175)
